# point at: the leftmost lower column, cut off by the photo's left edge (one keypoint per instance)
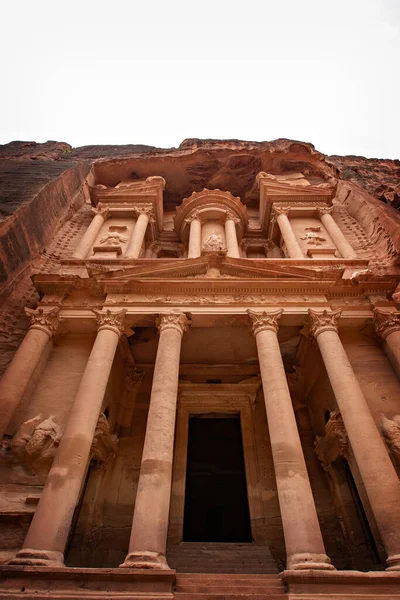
(16, 379)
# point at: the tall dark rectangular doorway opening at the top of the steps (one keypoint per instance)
(216, 504)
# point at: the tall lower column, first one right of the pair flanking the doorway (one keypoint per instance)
(379, 477)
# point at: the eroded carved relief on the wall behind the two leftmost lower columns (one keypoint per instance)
(36, 441)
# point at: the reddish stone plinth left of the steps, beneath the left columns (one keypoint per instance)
(68, 583)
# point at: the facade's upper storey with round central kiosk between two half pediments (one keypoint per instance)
(291, 221)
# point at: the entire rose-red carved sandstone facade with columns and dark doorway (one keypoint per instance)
(253, 297)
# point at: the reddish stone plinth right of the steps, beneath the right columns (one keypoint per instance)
(341, 585)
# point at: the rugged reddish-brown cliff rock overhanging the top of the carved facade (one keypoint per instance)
(42, 185)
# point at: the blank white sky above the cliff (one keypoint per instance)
(158, 71)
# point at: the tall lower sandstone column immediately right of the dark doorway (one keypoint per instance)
(303, 539)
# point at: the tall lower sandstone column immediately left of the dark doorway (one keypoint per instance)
(148, 541)
